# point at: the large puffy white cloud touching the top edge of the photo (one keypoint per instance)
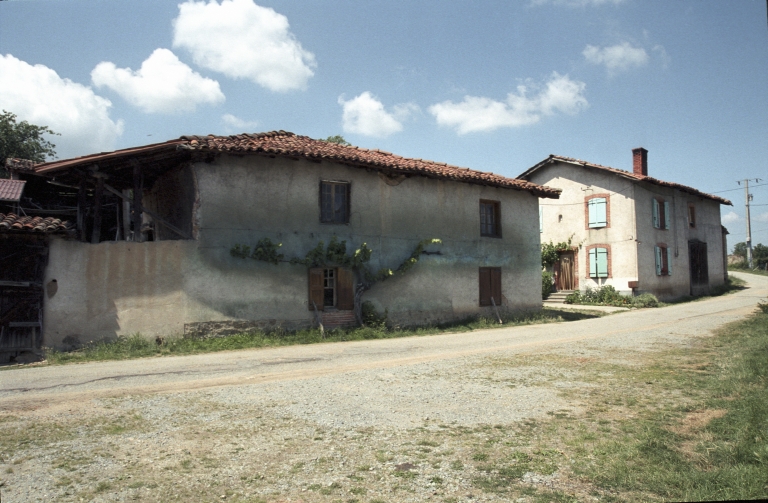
(243, 40)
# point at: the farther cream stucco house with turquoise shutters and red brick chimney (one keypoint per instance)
(630, 230)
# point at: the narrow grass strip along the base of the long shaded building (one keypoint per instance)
(139, 346)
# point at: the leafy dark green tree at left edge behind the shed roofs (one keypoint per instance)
(23, 140)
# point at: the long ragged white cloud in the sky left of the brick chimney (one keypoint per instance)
(559, 94)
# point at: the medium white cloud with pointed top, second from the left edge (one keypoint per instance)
(163, 84)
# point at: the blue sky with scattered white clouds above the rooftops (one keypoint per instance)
(490, 85)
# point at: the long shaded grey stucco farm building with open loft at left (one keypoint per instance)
(154, 226)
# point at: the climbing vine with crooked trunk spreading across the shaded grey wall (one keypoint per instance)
(335, 254)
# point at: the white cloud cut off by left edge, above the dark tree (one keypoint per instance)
(37, 94)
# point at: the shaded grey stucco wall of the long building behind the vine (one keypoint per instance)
(155, 288)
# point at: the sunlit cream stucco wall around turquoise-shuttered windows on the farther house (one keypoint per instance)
(566, 218)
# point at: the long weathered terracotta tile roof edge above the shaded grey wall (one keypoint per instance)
(287, 144)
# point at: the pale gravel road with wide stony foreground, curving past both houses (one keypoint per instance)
(281, 424)
